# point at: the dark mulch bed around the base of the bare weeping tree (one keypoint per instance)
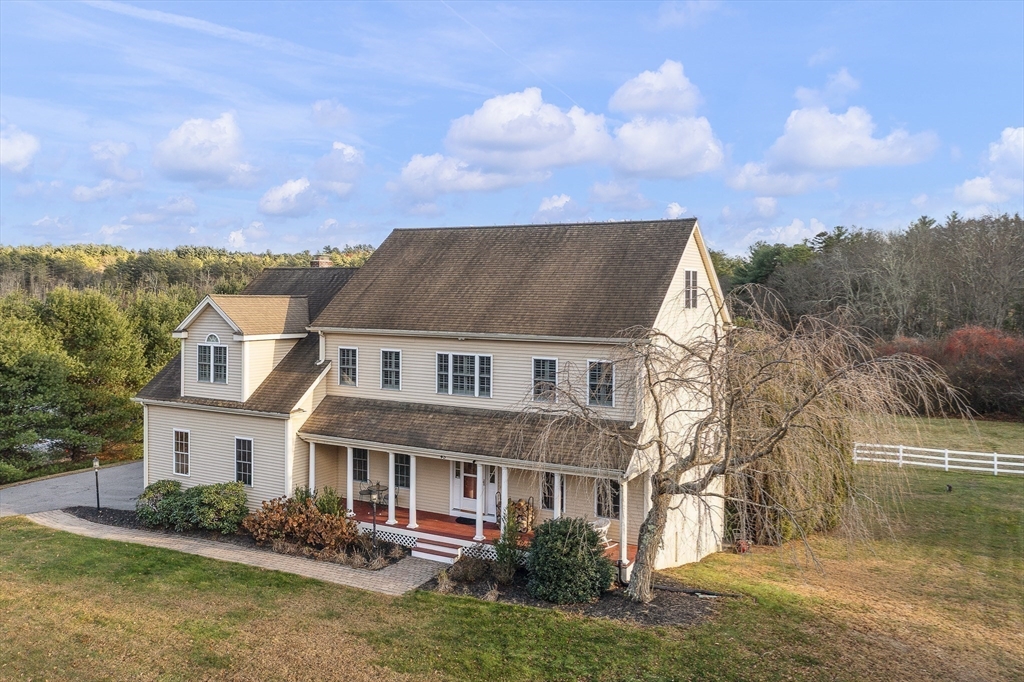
(668, 609)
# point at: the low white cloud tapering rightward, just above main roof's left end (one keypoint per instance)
(426, 178)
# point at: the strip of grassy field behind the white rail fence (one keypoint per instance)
(984, 437)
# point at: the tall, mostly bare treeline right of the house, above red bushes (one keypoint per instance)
(923, 282)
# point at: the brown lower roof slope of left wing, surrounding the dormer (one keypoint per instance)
(278, 395)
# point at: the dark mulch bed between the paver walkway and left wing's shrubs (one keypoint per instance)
(390, 553)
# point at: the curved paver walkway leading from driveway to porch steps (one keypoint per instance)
(396, 580)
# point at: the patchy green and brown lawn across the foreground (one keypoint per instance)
(942, 599)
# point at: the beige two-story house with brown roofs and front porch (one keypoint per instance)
(436, 371)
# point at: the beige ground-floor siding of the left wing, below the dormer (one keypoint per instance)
(212, 449)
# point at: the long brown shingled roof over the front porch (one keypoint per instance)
(491, 434)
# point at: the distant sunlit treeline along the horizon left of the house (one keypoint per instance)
(37, 271)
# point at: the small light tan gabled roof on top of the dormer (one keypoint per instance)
(255, 316)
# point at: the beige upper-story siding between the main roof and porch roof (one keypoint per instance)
(513, 370)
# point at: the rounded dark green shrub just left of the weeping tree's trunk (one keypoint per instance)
(567, 563)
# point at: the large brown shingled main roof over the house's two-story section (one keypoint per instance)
(577, 281)
